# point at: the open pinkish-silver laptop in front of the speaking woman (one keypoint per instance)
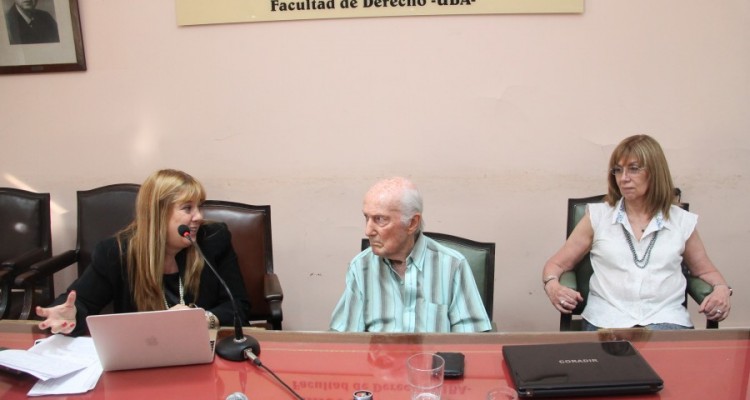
(151, 339)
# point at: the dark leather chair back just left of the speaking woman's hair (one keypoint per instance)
(102, 212)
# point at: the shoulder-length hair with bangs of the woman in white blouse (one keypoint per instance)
(649, 154)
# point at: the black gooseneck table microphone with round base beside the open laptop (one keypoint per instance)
(229, 348)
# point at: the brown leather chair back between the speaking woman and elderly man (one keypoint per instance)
(250, 226)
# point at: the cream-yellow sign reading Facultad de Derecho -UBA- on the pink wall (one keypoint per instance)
(199, 12)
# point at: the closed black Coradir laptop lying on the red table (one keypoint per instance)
(580, 369)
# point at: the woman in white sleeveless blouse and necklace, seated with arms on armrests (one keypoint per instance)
(638, 239)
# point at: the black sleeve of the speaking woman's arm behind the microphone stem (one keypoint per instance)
(216, 242)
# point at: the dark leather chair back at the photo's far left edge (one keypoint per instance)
(24, 222)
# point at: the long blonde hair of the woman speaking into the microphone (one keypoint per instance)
(146, 237)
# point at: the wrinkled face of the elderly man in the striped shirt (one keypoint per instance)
(389, 236)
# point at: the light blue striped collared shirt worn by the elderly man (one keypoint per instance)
(437, 294)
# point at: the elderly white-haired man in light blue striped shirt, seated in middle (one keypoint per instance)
(405, 281)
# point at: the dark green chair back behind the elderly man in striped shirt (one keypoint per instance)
(481, 258)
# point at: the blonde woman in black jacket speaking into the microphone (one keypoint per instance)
(149, 266)
